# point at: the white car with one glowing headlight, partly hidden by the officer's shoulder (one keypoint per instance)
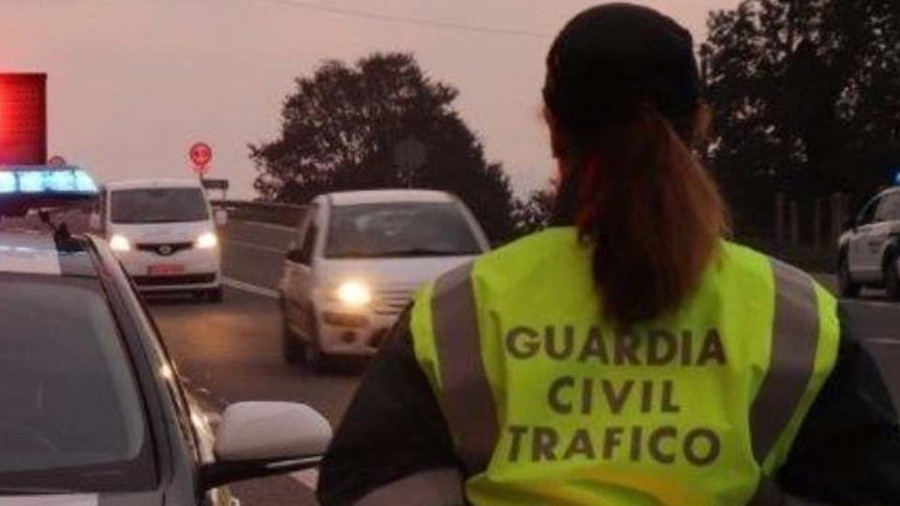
(358, 259)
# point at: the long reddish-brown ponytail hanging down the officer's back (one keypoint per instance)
(652, 214)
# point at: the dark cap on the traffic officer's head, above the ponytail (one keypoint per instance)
(613, 58)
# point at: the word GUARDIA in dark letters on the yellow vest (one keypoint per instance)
(655, 348)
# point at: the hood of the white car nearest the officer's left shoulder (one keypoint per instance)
(403, 273)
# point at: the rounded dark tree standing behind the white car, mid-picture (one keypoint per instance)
(381, 123)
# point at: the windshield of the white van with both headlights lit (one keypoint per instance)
(159, 205)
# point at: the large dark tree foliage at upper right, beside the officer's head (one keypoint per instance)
(807, 98)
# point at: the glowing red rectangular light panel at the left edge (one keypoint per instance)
(23, 119)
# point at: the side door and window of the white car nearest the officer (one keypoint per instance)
(299, 276)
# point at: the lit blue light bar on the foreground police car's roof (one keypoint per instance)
(46, 181)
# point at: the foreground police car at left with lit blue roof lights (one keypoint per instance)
(93, 410)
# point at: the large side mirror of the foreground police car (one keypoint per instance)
(259, 439)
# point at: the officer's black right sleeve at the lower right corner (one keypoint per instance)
(848, 448)
